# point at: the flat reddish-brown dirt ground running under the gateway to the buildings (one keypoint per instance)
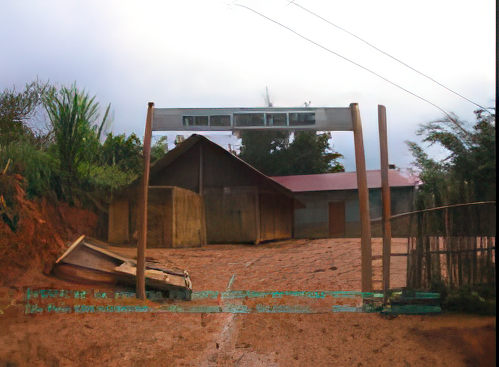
(258, 339)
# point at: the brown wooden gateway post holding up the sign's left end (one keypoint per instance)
(142, 240)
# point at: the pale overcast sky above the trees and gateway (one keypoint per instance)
(211, 53)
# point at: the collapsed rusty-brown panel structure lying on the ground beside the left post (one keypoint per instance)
(88, 260)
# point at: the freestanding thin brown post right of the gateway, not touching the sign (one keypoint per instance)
(385, 197)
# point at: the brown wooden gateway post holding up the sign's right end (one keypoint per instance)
(365, 221)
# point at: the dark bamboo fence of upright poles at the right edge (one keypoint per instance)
(453, 245)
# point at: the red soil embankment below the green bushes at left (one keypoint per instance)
(41, 233)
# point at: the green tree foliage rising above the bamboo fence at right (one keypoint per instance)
(468, 173)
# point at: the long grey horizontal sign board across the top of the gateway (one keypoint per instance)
(267, 118)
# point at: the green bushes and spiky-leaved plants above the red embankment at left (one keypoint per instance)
(72, 164)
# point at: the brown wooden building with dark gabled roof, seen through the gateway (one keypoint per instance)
(201, 193)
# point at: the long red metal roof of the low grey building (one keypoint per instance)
(342, 181)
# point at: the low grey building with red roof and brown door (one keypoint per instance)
(332, 203)
